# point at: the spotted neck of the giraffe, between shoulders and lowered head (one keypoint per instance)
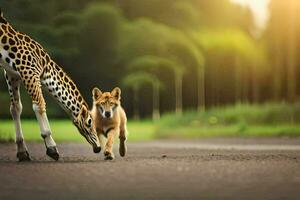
(63, 89)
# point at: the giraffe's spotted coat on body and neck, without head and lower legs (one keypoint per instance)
(28, 58)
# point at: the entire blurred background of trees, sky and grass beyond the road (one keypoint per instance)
(187, 68)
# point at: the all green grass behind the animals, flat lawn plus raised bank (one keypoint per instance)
(265, 120)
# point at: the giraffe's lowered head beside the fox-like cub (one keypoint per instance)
(84, 123)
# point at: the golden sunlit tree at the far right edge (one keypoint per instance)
(282, 35)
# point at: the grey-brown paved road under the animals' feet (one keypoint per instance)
(201, 169)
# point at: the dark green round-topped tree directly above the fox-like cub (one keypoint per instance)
(98, 41)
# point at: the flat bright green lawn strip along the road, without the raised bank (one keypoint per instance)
(63, 130)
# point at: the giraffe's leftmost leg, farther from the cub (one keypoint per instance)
(13, 84)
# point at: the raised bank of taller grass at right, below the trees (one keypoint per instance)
(264, 114)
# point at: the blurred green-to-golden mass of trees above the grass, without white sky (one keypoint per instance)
(202, 53)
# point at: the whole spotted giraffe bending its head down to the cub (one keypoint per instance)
(25, 61)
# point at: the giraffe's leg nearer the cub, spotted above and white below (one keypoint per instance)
(39, 107)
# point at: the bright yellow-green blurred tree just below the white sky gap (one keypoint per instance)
(234, 60)
